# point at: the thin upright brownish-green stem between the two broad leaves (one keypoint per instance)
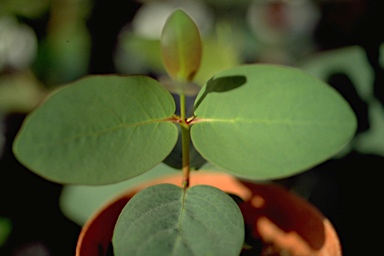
(185, 142)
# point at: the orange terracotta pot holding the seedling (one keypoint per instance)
(284, 222)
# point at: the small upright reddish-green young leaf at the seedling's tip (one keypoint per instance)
(181, 46)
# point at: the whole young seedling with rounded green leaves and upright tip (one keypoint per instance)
(256, 122)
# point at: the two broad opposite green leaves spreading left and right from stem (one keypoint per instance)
(256, 121)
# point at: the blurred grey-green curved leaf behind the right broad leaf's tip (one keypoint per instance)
(350, 62)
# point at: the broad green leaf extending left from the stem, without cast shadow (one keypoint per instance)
(99, 130)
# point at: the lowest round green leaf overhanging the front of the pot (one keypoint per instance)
(166, 220)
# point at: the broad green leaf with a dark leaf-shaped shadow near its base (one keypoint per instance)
(265, 121)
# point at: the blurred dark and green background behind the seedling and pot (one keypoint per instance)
(47, 43)
